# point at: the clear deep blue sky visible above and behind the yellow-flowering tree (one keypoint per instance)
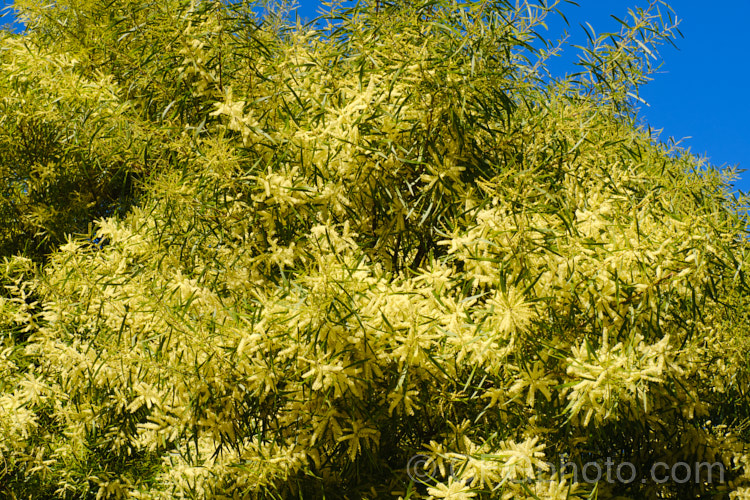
(701, 94)
